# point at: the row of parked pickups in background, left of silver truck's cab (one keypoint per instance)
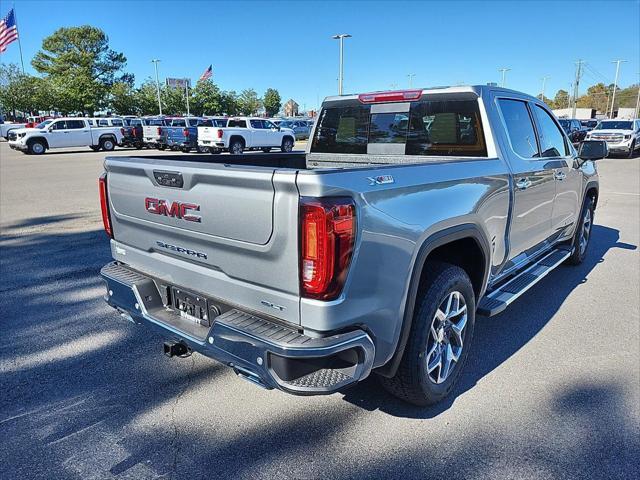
(200, 134)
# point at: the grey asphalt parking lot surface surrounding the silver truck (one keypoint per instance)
(551, 390)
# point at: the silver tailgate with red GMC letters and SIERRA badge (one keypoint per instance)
(234, 228)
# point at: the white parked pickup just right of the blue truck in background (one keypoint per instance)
(246, 133)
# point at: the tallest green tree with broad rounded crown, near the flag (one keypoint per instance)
(81, 66)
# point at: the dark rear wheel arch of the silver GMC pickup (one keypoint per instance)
(463, 245)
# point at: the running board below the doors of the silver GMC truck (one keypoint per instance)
(499, 299)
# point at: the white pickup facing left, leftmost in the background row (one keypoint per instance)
(62, 133)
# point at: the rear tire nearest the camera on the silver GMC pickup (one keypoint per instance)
(413, 381)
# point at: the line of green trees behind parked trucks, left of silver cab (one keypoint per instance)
(79, 73)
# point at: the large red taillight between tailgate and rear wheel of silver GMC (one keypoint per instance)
(327, 229)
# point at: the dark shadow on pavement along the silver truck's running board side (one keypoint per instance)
(497, 338)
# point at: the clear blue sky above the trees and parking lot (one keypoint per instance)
(288, 45)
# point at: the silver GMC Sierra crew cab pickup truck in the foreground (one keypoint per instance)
(410, 213)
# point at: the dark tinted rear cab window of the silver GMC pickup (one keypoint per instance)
(436, 128)
